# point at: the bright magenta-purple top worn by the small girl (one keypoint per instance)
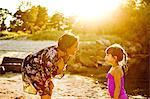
(111, 87)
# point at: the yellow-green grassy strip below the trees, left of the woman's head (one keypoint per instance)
(41, 35)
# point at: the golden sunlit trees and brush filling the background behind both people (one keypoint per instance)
(128, 26)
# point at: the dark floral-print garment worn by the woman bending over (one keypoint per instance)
(38, 69)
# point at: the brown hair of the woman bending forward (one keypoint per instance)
(66, 41)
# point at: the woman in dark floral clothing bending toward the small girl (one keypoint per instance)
(39, 68)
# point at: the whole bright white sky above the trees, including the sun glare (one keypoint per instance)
(83, 9)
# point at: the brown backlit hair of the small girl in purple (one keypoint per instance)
(117, 50)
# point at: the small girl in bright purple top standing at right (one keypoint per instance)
(115, 55)
